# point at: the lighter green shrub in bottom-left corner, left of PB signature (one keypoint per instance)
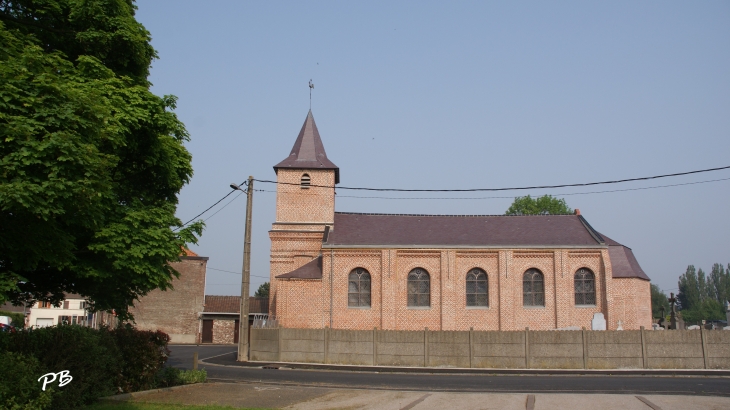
(19, 388)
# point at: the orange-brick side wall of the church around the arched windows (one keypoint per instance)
(306, 303)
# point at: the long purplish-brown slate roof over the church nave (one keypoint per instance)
(389, 230)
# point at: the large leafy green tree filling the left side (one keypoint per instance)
(91, 161)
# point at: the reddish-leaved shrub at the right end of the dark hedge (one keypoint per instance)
(144, 353)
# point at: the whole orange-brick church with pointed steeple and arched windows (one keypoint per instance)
(444, 272)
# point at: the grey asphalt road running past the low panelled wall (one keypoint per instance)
(613, 384)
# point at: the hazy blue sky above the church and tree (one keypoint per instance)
(457, 95)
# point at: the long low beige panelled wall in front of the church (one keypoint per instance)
(581, 349)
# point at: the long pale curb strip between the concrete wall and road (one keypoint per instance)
(488, 371)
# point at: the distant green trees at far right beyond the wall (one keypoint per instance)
(702, 297)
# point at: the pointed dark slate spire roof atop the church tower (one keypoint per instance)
(308, 151)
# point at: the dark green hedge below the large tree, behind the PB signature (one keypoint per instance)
(102, 362)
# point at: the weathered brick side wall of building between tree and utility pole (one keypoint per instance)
(176, 312)
